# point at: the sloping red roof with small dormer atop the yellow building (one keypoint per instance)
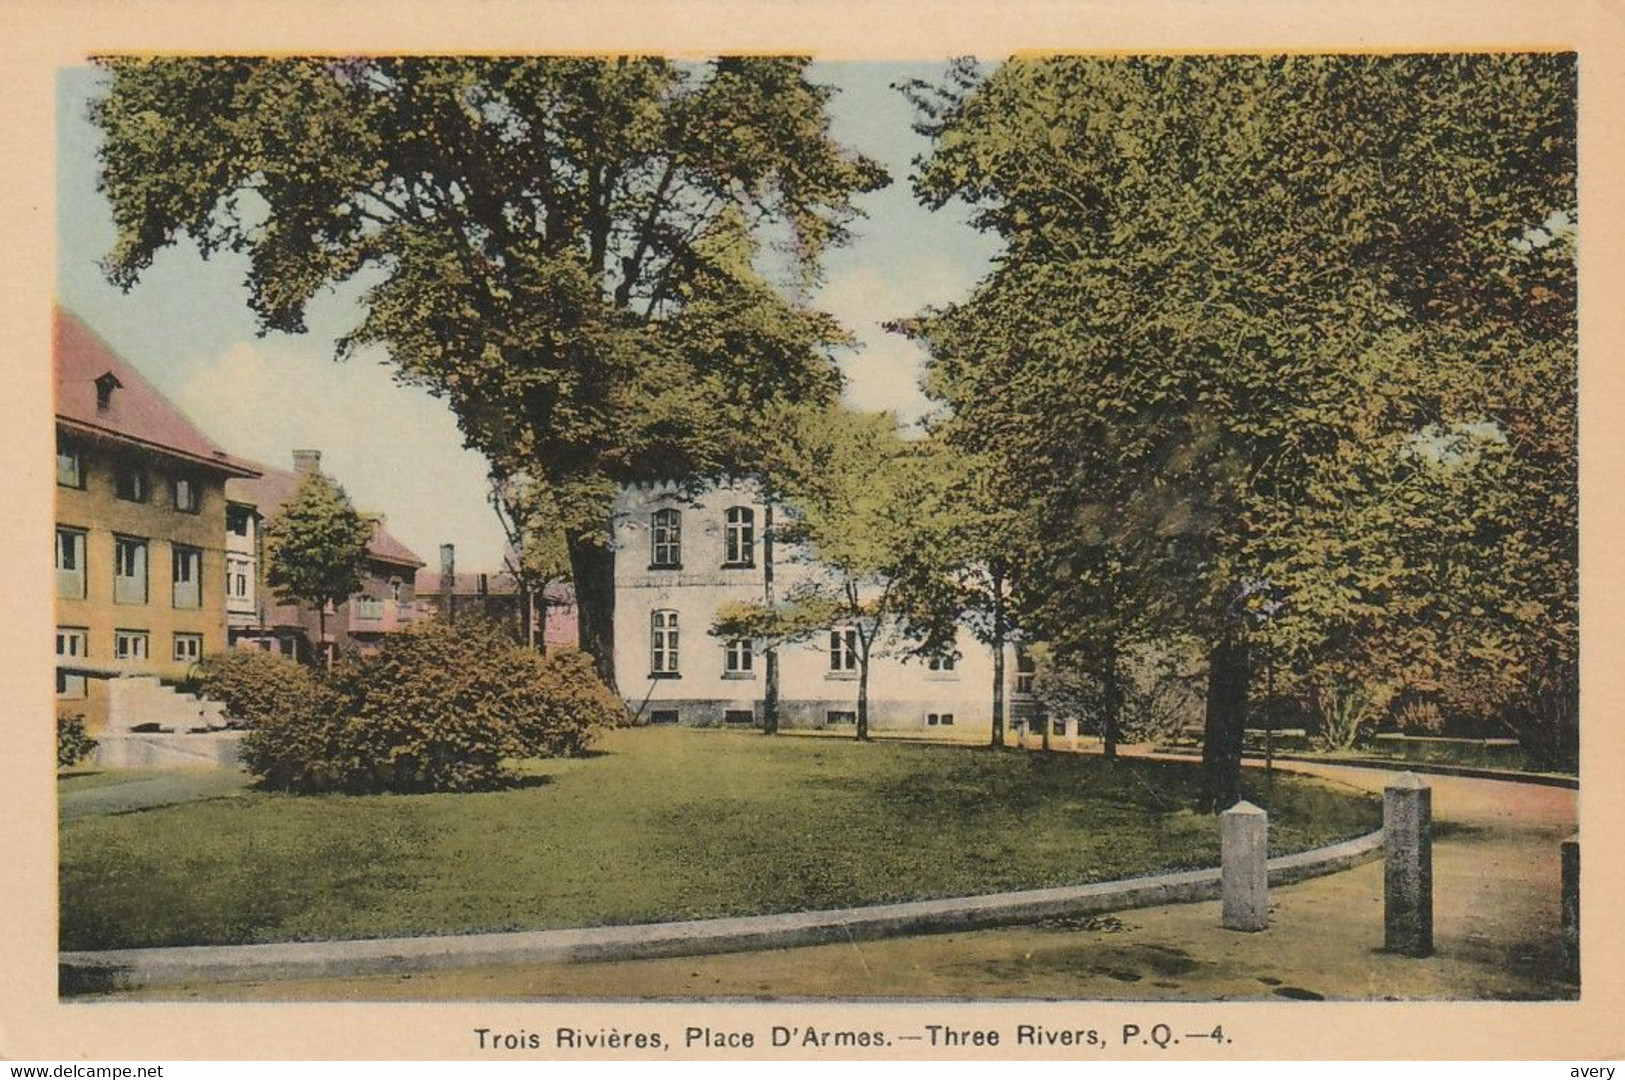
(137, 413)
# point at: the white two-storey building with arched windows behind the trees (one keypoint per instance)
(682, 555)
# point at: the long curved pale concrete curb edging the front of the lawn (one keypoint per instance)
(129, 969)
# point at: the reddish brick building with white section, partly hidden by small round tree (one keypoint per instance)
(386, 603)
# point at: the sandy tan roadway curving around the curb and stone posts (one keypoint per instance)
(1496, 933)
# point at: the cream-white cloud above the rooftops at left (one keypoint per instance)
(396, 449)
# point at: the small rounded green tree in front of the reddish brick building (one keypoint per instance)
(318, 545)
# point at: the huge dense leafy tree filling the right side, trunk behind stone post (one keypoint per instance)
(1239, 288)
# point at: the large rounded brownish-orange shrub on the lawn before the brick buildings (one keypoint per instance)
(438, 709)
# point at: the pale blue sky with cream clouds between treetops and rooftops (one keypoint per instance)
(396, 449)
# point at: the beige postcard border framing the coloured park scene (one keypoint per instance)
(38, 37)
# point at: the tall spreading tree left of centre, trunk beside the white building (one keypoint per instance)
(565, 249)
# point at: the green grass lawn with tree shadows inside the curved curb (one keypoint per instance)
(667, 824)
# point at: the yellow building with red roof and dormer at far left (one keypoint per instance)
(141, 530)
